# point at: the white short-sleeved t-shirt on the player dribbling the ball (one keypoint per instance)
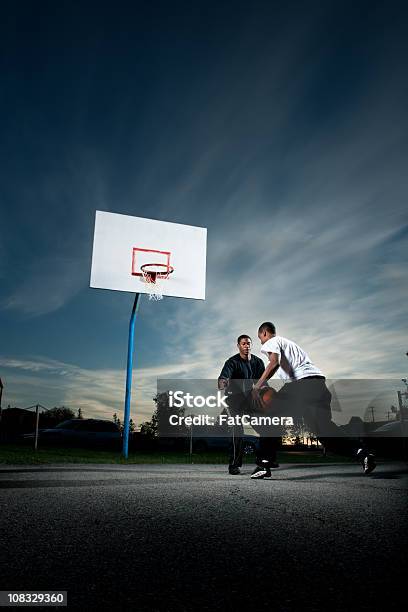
(294, 362)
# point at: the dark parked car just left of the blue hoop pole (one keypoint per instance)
(81, 432)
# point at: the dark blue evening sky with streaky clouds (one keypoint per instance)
(282, 127)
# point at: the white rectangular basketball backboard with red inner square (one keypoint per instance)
(123, 243)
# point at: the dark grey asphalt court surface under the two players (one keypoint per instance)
(192, 537)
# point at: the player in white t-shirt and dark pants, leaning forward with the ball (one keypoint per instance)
(304, 394)
